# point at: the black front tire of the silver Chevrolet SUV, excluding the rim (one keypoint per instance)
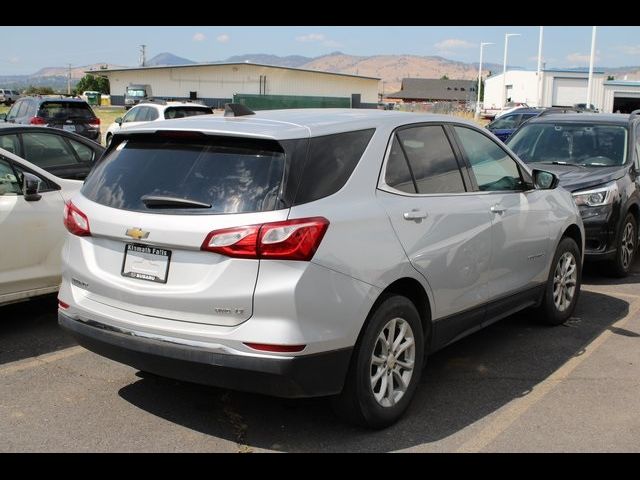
(549, 312)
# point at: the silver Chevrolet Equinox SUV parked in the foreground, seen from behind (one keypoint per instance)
(311, 252)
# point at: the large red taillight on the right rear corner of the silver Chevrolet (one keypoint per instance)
(288, 240)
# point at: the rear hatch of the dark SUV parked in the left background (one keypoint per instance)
(74, 117)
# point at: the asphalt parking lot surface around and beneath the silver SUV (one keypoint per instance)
(516, 386)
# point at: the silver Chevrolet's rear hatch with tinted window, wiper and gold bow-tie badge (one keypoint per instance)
(151, 202)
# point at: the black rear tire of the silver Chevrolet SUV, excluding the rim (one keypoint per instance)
(357, 404)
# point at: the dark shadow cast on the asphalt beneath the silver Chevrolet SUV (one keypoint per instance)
(460, 385)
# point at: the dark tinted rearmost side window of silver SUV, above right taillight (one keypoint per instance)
(331, 160)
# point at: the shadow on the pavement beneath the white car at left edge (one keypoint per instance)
(30, 328)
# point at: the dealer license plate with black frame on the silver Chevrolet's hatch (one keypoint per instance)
(146, 263)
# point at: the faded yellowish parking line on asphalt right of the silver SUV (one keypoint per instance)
(516, 408)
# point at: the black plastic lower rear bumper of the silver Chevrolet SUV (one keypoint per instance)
(292, 377)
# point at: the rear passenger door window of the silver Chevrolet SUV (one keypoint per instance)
(431, 160)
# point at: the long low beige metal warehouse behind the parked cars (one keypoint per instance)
(255, 85)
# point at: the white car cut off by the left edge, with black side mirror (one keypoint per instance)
(31, 225)
